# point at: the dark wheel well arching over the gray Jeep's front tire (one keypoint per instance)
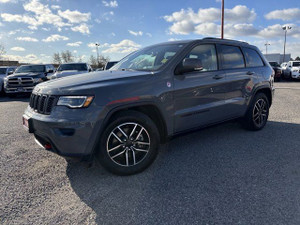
(153, 113)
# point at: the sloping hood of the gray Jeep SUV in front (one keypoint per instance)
(86, 82)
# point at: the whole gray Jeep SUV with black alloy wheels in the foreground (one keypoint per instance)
(120, 116)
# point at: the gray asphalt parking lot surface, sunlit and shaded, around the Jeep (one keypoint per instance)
(219, 175)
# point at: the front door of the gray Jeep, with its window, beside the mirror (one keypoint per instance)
(199, 95)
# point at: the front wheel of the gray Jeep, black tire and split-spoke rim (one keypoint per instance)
(123, 164)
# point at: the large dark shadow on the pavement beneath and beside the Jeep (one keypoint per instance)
(218, 175)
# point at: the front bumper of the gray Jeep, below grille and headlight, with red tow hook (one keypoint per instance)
(66, 132)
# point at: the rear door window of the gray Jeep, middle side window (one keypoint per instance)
(232, 57)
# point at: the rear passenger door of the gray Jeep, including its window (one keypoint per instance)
(239, 80)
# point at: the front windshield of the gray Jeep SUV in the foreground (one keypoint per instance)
(148, 59)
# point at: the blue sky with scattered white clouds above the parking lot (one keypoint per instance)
(32, 30)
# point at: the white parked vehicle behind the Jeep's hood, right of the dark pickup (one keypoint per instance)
(69, 69)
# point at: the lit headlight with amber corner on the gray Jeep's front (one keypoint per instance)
(75, 101)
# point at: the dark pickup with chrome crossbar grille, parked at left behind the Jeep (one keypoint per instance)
(24, 79)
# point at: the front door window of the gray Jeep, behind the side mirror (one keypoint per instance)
(207, 54)
